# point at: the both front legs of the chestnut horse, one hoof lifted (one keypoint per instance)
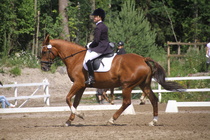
(78, 92)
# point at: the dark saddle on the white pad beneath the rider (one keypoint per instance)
(97, 61)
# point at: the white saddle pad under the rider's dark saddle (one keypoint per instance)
(106, 66)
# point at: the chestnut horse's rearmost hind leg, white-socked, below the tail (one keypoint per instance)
(154, 101)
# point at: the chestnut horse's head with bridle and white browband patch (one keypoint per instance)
(48, 54)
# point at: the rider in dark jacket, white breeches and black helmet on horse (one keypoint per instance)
(100, 44)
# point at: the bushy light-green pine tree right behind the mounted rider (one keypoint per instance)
(131, 27)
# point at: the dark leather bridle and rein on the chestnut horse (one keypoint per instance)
(49, 50)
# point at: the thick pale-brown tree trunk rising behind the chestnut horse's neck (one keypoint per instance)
(62, 10)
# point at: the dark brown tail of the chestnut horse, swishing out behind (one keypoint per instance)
(160, 75)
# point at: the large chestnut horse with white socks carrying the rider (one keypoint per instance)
(127, 71)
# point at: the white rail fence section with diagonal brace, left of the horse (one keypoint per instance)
(44, 85)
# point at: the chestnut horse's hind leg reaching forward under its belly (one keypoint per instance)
(126, 102)
